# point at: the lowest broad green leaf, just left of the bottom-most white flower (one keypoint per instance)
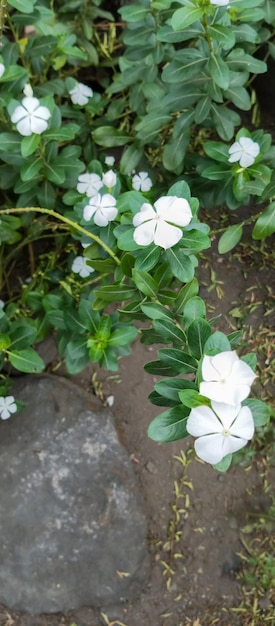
(170, 425)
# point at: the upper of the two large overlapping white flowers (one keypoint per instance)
(226, 378)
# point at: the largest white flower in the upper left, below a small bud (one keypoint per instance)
(30, 117)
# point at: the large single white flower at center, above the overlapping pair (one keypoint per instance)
(157, 225)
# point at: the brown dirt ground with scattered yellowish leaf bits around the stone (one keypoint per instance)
(197, 517)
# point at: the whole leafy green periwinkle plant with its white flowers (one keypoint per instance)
(115, 128)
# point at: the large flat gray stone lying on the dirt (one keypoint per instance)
(72, 522)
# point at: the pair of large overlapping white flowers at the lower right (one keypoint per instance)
(226, 426)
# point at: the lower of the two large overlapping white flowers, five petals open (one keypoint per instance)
(221, 430)
